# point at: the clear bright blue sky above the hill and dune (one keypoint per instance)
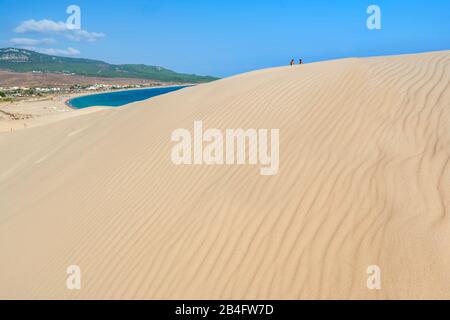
(230, 36)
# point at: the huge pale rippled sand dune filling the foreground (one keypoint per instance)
(364, 180)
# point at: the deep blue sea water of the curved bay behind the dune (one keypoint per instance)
(119, 98)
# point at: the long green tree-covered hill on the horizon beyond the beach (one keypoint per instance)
(21, 60)
